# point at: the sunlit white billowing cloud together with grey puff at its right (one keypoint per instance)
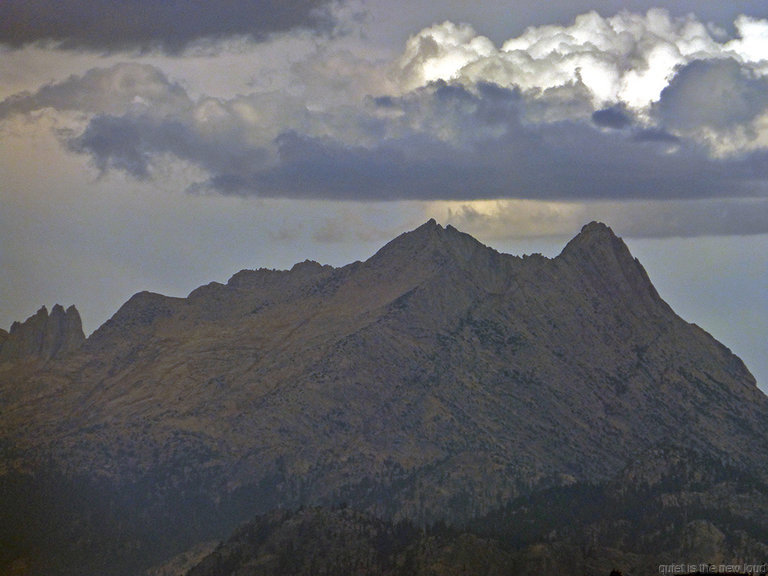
(642, 63)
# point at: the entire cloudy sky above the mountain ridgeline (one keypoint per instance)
(163, 144)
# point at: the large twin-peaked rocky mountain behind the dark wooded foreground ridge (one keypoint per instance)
(439, 380)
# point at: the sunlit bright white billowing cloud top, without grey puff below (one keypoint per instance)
(627, 58)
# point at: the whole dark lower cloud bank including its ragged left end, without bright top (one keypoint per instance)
(442, 141)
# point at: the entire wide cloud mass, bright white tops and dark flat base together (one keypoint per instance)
(635, 107)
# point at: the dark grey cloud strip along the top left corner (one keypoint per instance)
(144, 24)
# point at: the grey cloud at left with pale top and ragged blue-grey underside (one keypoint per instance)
(137, 119)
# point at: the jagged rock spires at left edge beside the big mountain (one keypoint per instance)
(43, 336)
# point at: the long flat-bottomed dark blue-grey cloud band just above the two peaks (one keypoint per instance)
(563, 161)
